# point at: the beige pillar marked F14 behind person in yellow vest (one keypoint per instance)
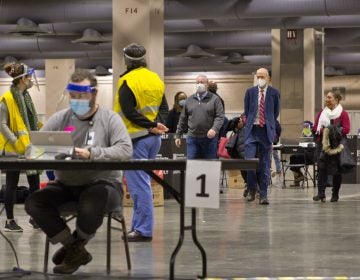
(142, 22)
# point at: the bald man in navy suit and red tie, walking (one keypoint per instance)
(262, 104)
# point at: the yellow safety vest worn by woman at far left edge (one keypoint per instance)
(17, 126)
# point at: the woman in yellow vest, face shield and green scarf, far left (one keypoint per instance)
(17, 117)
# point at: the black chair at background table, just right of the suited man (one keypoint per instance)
(288, 150)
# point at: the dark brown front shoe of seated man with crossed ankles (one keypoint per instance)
(75, 256)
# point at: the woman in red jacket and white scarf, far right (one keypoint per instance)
(333, 114)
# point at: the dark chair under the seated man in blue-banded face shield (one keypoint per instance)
(69, 211)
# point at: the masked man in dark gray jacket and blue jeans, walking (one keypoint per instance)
(202, 116)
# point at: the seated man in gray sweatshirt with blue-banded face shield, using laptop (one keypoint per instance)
(98, 134)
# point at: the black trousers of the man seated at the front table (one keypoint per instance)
(93, 202)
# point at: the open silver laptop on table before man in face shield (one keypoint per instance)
(47, 144)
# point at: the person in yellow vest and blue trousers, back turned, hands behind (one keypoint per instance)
(141, 103)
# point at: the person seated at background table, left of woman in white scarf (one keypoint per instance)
(299, 159)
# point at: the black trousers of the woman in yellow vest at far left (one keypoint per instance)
(12, 180)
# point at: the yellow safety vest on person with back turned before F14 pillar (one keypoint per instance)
(148, 90)
